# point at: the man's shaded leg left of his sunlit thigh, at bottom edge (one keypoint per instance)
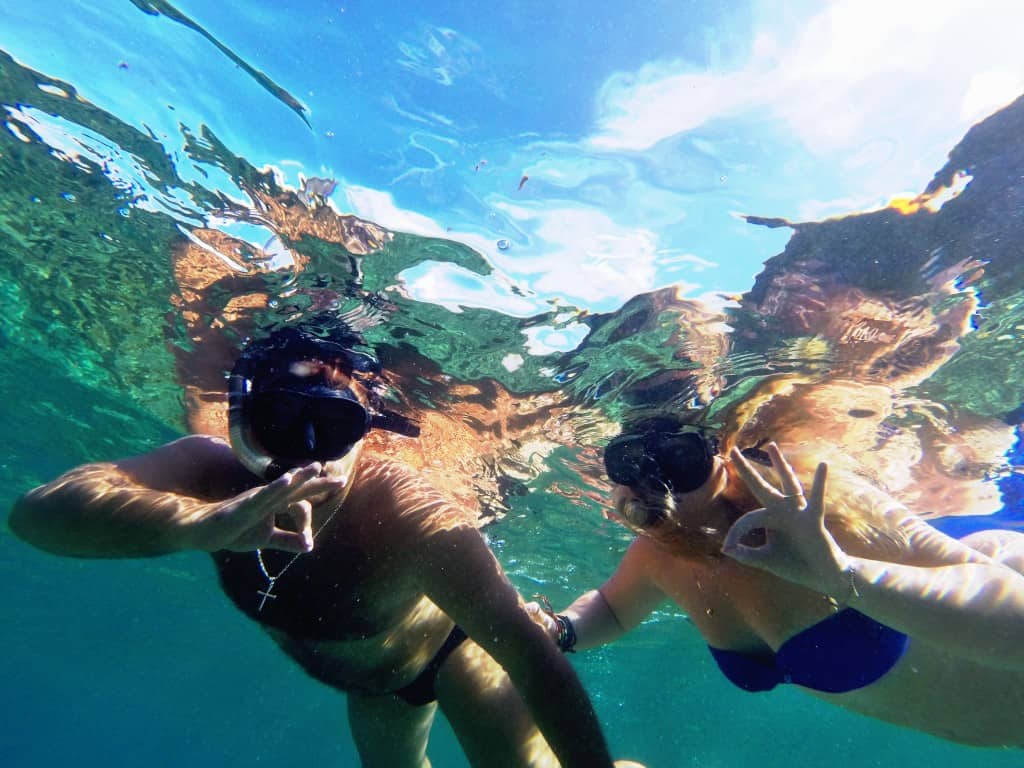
(389, 733)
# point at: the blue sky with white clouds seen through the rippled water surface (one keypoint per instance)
(645, 130)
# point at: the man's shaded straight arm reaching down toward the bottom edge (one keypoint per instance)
(462, 577)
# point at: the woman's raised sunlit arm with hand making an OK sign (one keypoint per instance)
(964, 603)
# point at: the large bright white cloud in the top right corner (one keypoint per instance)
(861, 71)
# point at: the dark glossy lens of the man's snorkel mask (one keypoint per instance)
(296, 429)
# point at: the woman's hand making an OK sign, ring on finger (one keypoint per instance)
(797, 546)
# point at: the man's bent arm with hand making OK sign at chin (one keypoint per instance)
(162, 502)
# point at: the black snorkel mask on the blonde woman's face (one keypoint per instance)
(663, 456)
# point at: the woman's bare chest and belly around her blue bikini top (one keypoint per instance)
(740, 610)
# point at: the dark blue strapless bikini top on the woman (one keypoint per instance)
(841, 654)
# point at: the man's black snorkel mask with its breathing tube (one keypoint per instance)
(291, 403)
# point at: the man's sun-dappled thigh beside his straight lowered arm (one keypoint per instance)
(490, 719)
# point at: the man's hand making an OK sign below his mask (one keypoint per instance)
(249, 521)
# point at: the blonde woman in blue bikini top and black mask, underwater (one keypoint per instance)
(840, 590)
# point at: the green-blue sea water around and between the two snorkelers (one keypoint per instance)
(143, 663)
